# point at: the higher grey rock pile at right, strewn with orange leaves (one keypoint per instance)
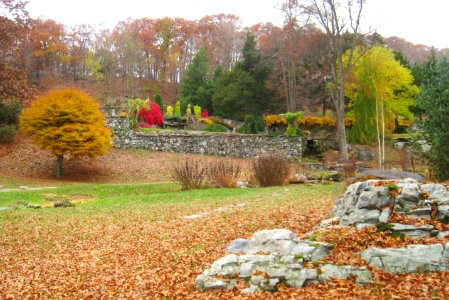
(372, 202)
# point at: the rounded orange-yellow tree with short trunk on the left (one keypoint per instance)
(66, 122)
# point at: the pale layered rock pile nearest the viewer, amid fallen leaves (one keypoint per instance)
(272, 257)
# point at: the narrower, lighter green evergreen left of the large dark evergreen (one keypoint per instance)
(195, 86)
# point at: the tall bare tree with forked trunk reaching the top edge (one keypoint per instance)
(341, 22)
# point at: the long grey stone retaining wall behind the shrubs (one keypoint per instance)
(223, 144)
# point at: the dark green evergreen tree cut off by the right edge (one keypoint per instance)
(434, 102)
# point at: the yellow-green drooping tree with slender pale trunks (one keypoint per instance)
(381, 90)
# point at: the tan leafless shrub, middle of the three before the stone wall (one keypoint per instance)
(224, 173)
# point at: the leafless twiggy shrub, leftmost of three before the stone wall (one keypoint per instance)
(191, 175)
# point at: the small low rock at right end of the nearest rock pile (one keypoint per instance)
(362, 274)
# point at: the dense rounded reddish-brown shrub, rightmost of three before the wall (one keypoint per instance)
(271, 170)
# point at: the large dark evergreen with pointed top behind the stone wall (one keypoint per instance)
(243, 91)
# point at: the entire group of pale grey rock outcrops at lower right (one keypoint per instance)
(273, 257)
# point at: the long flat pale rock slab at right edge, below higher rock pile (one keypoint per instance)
(411, 259)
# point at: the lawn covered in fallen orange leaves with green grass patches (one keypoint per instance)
(130, 241)
